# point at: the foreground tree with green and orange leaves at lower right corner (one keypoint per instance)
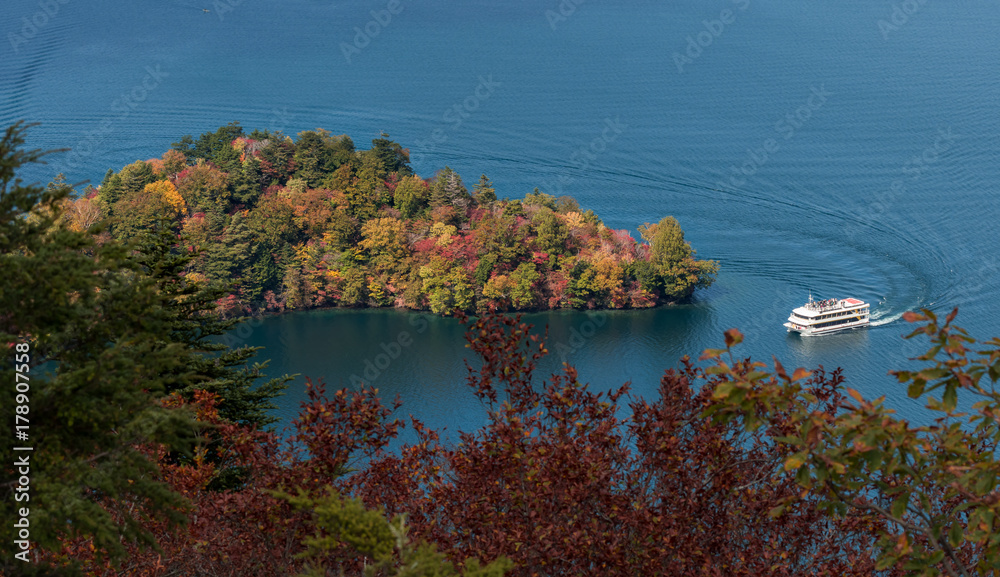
(934, 486)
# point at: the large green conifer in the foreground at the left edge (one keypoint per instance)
(94, 349)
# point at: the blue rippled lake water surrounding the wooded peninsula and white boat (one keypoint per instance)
(825, 108)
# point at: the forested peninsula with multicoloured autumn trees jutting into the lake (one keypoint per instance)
(315, 222)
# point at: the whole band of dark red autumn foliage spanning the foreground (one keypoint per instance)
(562, 480)
